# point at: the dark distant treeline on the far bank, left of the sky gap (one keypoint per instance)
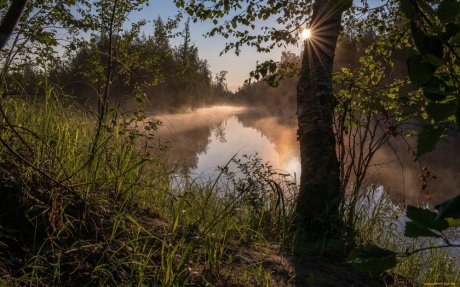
(145, 70)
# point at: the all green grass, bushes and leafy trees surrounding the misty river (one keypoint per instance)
(88, 198)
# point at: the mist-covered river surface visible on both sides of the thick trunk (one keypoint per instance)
(199, 141)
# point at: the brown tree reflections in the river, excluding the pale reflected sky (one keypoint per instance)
(190, 134)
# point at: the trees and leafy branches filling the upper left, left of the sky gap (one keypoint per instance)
(103, 58)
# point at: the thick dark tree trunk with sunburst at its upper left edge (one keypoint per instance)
(317, 210)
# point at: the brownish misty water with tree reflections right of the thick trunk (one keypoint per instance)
(394, 167)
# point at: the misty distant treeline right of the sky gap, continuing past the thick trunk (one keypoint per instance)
(350, 53)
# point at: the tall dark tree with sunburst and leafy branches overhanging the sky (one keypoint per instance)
(320, 193)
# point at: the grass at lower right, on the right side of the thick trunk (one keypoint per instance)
(381, 222)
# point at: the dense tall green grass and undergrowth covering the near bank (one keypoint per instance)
(76, 211)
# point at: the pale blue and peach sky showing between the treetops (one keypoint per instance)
(238, 67)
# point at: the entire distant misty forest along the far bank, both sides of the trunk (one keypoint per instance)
(167, 78)
